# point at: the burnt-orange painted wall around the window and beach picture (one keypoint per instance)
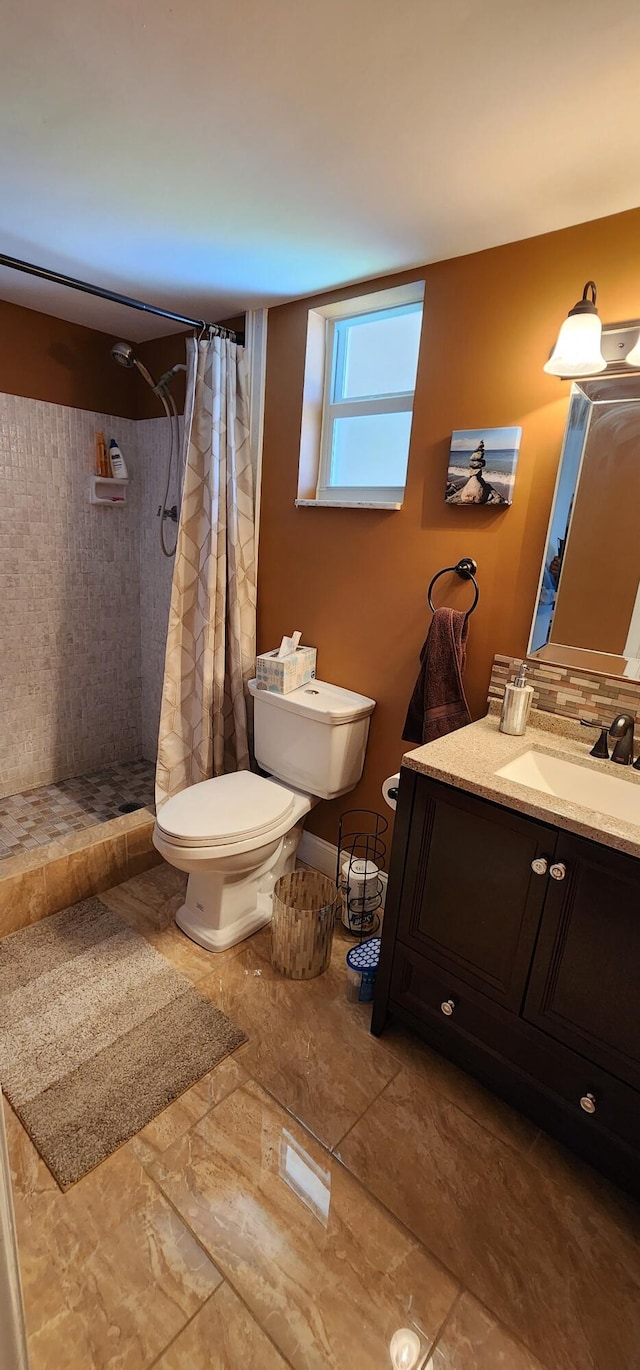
(356, 582)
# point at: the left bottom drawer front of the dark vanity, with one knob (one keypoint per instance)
(431, 994)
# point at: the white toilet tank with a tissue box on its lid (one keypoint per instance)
(315, 738)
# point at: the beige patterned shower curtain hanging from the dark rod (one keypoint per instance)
(210, 653)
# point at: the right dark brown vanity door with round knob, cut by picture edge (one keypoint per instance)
(586, 979)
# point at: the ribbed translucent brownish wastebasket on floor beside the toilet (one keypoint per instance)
(302, 927)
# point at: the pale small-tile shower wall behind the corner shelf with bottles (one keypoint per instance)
(82, 667)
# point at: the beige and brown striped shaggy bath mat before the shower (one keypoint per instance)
(98, 1035)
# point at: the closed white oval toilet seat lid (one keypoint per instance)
(227, 809)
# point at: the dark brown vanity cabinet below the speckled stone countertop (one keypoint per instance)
(515, 949)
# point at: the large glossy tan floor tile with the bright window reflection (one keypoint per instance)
(320, 1265)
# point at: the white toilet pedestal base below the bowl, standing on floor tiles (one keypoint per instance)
(223, 909)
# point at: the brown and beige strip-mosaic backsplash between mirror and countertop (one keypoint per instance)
(563, 690)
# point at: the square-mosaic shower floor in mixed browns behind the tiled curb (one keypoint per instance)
(46, 814)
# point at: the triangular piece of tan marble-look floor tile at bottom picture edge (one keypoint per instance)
(223, 1336)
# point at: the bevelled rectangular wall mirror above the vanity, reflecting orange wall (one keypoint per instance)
(589, 603)
